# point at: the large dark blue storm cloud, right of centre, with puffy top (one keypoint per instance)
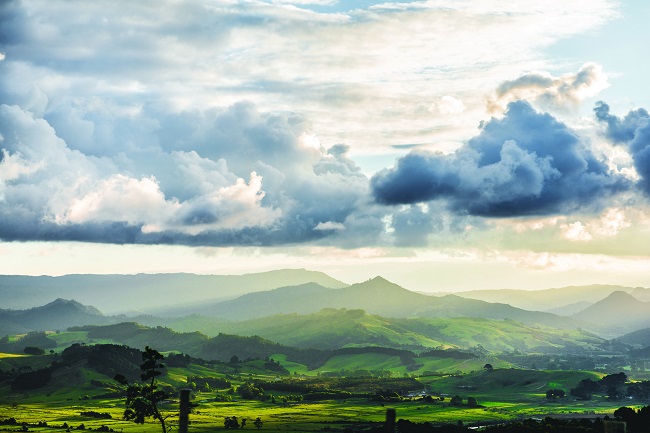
(526, 163)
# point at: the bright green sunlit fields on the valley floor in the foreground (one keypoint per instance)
(503, 394)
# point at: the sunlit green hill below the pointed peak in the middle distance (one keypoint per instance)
(331, 328)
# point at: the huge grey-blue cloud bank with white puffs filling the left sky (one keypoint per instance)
(179, 177)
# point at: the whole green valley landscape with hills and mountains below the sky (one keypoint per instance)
(307, 357)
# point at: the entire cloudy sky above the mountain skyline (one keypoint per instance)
(446, 145)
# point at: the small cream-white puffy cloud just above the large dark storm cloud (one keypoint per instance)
(550, 91)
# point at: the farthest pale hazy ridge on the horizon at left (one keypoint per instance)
(147, 292)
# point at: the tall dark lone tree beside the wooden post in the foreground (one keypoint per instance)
(142, 399)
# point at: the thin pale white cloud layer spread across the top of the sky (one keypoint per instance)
(347, 68)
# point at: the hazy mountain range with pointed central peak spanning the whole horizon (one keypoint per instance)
(613, 315)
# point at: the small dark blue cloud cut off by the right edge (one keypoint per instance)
(634, 131)
